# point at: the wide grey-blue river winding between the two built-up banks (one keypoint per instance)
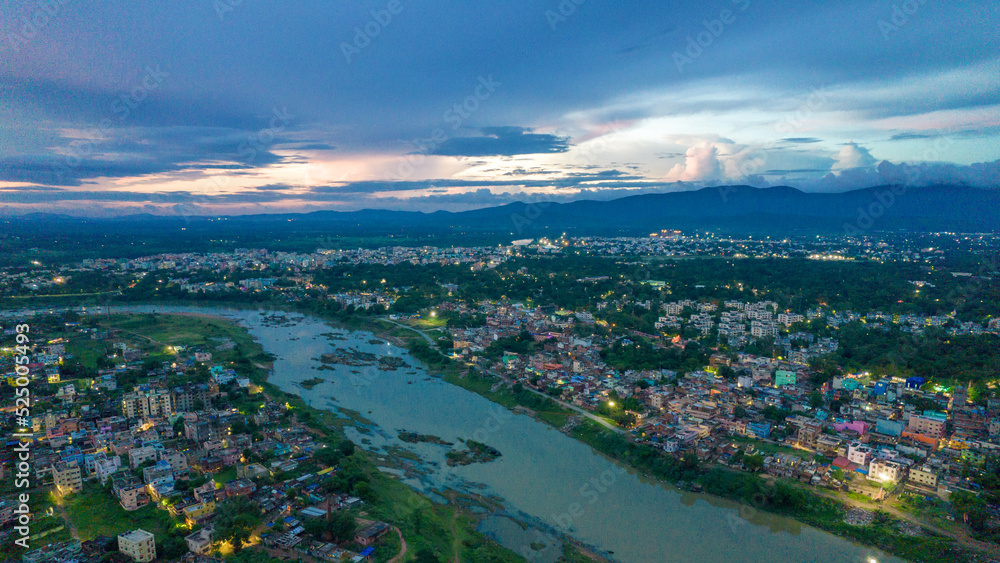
(543, 476)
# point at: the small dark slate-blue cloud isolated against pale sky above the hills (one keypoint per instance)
(502, 141)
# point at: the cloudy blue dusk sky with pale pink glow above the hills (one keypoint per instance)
(211, 107)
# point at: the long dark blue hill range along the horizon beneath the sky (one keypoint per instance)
(727, 208)
